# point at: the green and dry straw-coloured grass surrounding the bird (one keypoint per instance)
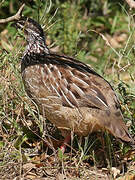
(95, 36)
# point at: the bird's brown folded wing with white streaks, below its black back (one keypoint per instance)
(75, 92)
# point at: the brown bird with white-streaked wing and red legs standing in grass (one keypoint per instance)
(68, 92)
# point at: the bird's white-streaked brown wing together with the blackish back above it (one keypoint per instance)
(73, 80)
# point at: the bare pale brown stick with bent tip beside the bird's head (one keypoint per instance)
(17, 16)
